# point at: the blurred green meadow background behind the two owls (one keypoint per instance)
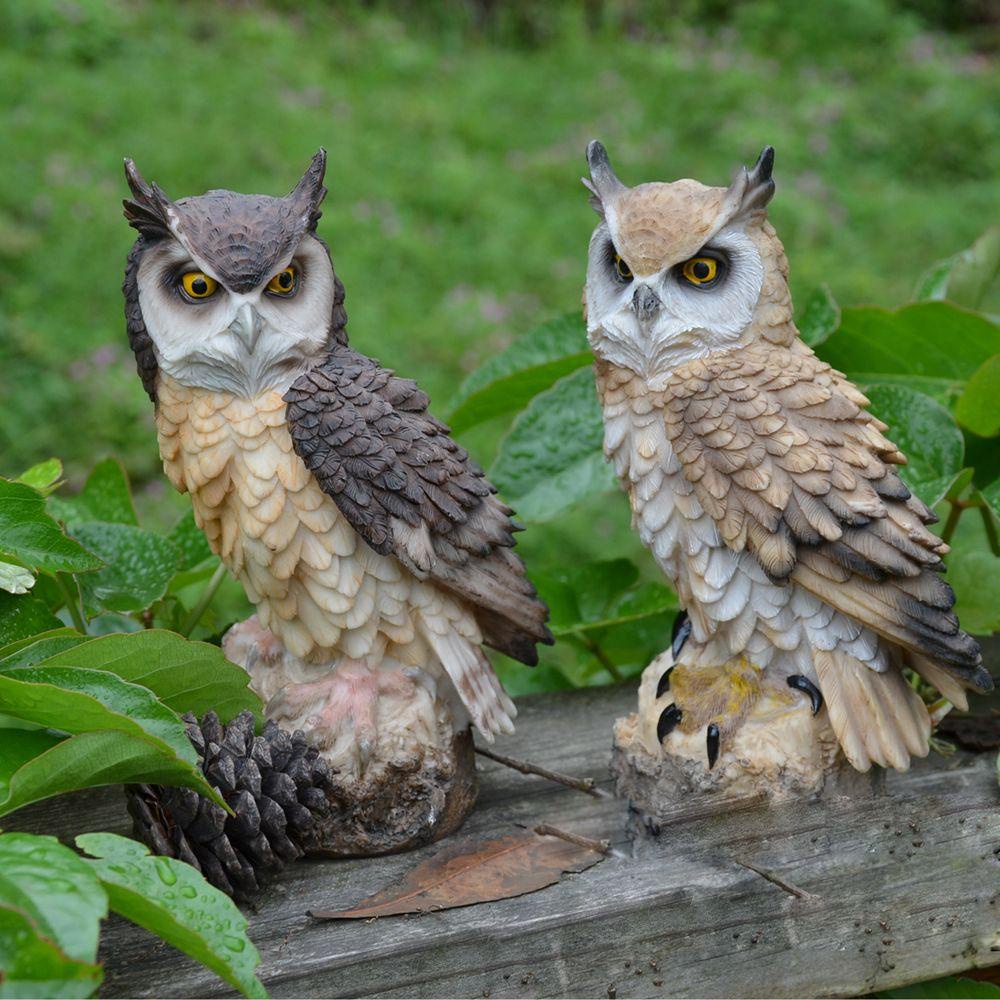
(456, 132)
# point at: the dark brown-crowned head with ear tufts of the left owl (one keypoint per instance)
(230, 291)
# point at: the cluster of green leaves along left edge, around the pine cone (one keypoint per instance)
(78, 710)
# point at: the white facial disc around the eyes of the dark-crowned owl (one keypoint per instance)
(244, 343)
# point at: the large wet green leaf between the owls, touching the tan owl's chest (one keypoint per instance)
(552, 457)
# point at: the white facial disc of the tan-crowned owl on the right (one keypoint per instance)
(651, 324)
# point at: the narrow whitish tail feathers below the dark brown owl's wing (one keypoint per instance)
(490, 708)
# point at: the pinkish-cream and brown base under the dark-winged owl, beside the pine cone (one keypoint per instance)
(399, 747)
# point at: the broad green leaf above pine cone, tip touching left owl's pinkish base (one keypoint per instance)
(186, 676)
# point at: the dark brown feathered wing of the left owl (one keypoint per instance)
(410, 491)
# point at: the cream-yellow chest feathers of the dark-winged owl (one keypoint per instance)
(314, 581)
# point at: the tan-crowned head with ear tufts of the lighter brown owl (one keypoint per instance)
(677, 271)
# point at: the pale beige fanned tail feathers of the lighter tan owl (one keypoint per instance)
(878, 717)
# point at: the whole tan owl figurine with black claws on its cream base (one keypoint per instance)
(768, 495)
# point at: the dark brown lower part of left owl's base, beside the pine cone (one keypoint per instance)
(405, 805)
